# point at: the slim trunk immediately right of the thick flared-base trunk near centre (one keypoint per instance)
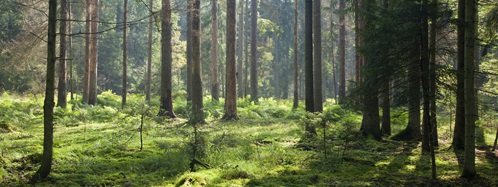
(240, 50)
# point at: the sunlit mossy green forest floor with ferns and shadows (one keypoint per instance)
(100, 146)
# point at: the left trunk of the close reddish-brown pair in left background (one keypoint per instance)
(88, 28)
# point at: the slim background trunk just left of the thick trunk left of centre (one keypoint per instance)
(189, 50)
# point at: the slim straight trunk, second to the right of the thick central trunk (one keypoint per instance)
(254, 57)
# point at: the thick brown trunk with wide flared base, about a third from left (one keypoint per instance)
(166, 108)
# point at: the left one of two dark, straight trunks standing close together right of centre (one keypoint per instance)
(308, 55)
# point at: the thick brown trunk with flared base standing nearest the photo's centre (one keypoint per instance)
(231, 87)
